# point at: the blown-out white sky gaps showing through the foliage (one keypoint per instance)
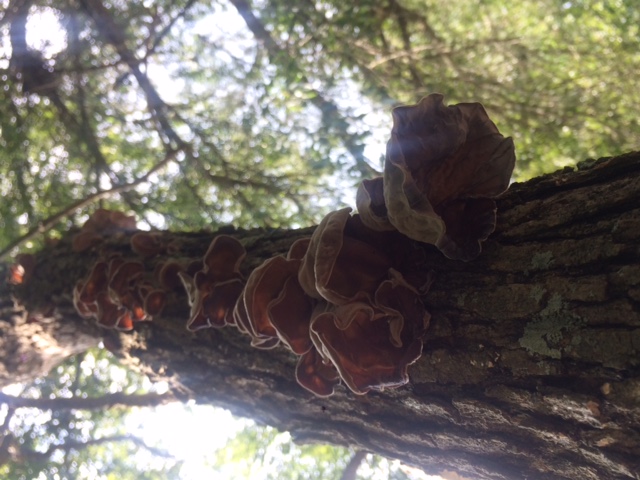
(191, 432)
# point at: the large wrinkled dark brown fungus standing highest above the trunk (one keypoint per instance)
(444, 166)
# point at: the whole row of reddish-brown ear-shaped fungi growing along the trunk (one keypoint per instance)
(339, 299)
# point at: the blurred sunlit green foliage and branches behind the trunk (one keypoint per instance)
(194, 114)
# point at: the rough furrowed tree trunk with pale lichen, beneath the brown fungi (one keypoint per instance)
(530, 366)
